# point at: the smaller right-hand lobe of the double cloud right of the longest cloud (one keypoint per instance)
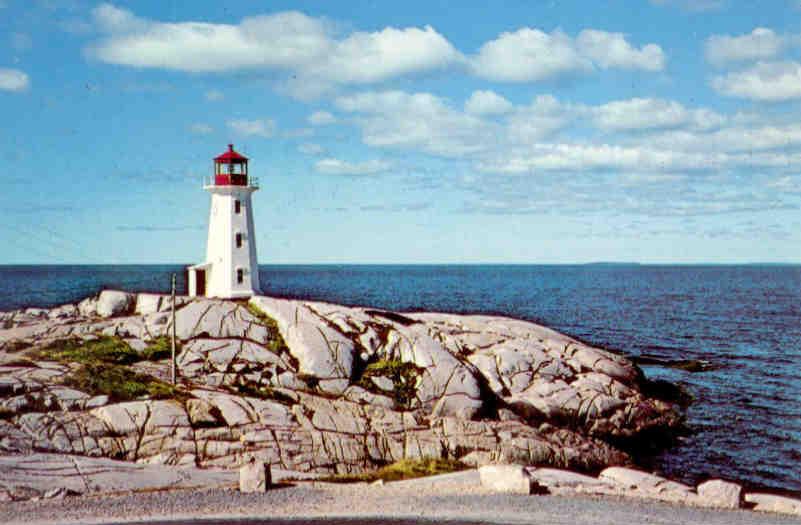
(611, 50)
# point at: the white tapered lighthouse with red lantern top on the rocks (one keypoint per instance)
(231, 268)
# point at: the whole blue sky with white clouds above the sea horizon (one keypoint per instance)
(653, 131)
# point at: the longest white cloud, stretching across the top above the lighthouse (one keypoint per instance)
(290, 41)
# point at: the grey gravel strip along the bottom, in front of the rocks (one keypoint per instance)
(399, 504)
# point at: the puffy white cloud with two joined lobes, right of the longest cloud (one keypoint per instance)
(531, 55)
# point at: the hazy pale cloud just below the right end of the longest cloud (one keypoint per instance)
(420, 121)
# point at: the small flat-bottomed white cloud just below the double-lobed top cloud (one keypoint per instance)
(650, 113)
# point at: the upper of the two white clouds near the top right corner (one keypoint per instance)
(759, 44)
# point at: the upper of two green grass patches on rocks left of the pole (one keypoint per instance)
(111, 350)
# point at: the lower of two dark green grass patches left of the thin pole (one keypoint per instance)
(119, 383)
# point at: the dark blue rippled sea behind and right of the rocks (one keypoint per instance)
(745, 320)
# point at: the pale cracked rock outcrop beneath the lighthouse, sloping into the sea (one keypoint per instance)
(308, 388)
